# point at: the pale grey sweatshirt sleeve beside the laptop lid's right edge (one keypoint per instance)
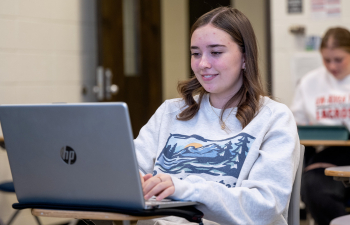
(146, 144)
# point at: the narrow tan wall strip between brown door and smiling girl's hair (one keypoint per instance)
(175, 46)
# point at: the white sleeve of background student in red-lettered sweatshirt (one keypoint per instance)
(298, 106)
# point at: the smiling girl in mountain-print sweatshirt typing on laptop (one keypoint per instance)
(223, 144)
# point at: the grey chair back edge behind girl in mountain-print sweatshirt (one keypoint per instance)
(294, 203)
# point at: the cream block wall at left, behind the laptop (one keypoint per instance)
(47, 54)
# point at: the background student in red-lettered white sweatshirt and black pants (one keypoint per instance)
(323, 97)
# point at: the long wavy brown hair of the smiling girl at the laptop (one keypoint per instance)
(237, 25)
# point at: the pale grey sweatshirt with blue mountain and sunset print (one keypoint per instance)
(238, 176)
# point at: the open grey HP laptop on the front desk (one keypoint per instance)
(75, 154)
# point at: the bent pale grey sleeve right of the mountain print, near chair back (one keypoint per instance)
(264, 195)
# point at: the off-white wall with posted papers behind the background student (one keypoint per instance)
(284, 43)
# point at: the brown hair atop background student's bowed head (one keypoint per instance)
(336, 37)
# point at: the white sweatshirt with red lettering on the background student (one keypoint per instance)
(321, 99)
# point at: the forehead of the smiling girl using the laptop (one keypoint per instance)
(209, 34)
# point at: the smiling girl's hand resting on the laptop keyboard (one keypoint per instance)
(160, 185)
